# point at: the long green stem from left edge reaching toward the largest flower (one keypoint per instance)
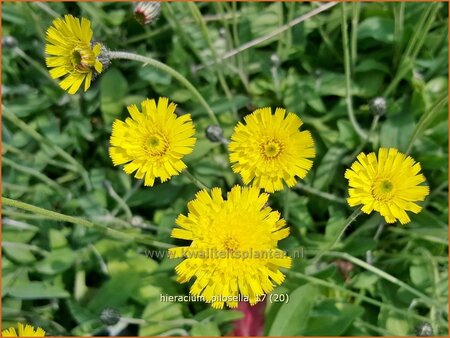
(56, 216)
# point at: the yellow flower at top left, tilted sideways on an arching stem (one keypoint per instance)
(72, 53)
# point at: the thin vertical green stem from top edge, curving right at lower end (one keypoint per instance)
(348, 91)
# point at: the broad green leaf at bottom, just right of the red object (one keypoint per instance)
(292, 316)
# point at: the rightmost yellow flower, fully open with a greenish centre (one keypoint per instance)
(389, 184)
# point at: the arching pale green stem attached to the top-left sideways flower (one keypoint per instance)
(163, 67)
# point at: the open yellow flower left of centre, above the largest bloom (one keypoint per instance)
(153, 142)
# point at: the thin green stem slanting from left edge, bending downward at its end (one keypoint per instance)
(39, 138)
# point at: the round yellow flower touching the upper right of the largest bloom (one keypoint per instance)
(270, 149)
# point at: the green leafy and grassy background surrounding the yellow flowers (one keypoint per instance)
(61, 276)
